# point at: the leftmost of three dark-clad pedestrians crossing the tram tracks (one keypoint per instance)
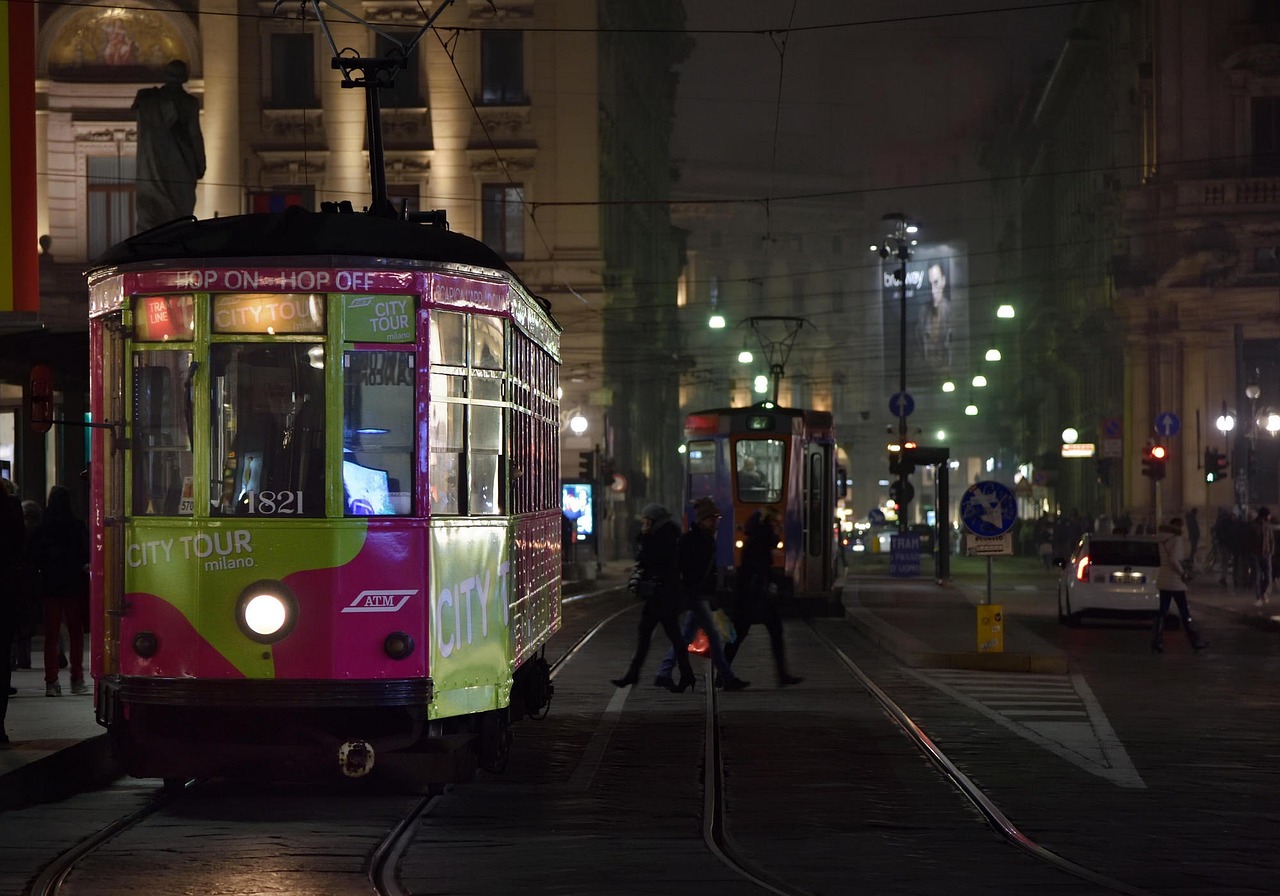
(657, 579)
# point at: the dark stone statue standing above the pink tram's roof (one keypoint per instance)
(171, 149)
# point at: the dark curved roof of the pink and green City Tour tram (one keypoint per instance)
(298, 232)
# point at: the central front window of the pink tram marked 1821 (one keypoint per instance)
(268, 429)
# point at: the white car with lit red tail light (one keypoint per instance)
(1109, 575)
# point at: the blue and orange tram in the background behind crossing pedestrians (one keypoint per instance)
(766, 456)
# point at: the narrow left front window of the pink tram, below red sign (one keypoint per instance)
(162, 433)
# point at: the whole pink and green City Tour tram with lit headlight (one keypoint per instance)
(326, 516)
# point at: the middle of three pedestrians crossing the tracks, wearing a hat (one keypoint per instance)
(697, 550)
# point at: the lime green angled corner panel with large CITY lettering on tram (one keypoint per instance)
(472, 647)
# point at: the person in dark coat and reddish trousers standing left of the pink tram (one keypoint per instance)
(63, 552)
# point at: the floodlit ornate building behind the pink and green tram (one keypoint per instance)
(518, 117)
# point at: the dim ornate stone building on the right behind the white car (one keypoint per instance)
(1141, 199)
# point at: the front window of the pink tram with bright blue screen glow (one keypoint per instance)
(378, 433)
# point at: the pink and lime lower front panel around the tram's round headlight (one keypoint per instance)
(354, 588)
